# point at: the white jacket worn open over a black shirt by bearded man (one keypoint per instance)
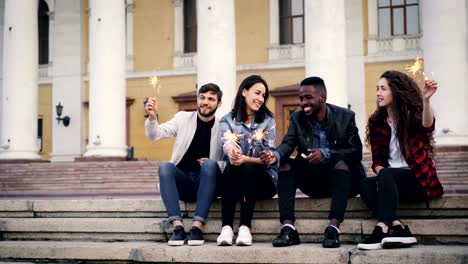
(183, 126)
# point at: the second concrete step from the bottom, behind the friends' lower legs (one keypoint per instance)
(429, 231)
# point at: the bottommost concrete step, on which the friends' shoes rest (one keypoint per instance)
(136, 252)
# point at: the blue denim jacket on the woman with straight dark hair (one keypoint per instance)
(248, 141)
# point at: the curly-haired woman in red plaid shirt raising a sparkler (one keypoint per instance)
(400, 133)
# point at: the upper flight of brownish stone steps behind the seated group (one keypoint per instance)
(126, 178)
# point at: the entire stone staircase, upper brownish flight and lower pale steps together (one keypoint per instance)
(111, 212)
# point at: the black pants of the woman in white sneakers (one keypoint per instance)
(245, 183)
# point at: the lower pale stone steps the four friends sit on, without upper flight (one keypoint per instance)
(132, 230)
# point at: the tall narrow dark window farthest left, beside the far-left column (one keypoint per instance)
(43, 30)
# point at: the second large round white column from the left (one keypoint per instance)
(107, 79)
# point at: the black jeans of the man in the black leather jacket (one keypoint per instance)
(316, 181)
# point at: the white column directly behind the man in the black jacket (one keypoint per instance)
(325, 46)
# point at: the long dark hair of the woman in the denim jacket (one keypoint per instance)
(239, 111)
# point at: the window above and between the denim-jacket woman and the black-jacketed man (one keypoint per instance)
(291, 21)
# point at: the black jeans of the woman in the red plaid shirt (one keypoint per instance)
(383, 193)
